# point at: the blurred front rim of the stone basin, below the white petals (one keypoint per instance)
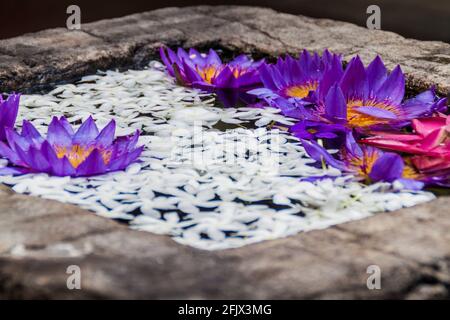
(41, 238)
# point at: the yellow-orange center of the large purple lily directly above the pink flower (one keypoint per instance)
(358, 119)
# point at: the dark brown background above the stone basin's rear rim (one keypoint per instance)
(420, 19)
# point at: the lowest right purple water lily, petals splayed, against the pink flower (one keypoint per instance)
(367, 163)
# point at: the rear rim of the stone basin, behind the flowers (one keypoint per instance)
(55, 55)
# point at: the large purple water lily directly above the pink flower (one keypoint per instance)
(370, 98)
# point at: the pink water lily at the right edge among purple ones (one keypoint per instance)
(429, 142)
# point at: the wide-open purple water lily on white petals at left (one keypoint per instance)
(65, 152)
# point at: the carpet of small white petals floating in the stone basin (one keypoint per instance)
(210, 177)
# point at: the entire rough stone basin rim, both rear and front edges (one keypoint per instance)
(40, 238)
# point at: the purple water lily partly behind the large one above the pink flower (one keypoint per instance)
(294, 79)
